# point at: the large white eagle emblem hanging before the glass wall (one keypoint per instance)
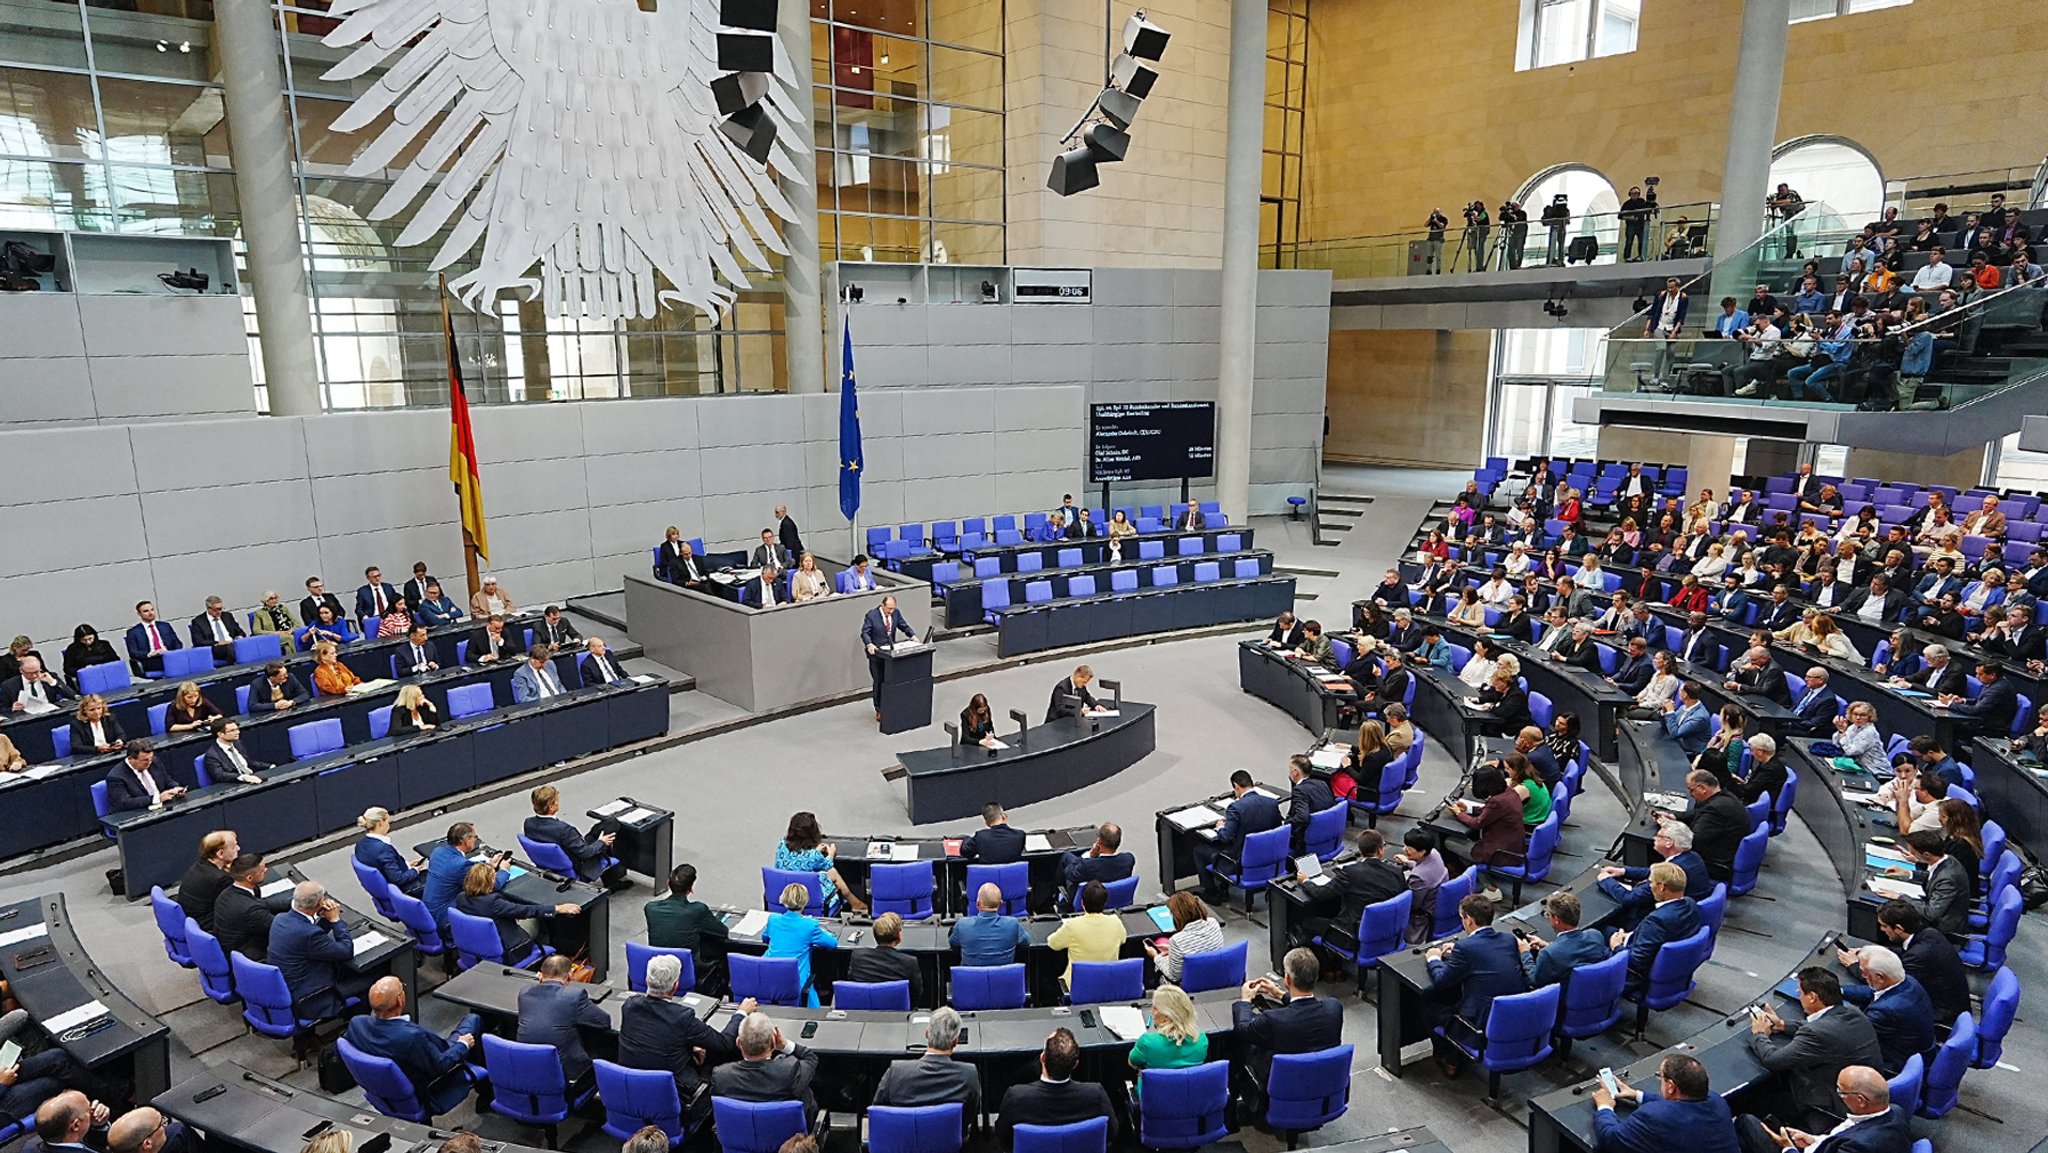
(577, 134)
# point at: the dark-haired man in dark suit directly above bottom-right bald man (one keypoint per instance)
(1809, 1056)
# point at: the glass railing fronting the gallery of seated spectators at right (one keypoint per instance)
(1910, 357)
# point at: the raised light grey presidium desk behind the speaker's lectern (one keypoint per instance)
(769, 658)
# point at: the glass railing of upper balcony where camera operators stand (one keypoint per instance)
(1588, 239)
